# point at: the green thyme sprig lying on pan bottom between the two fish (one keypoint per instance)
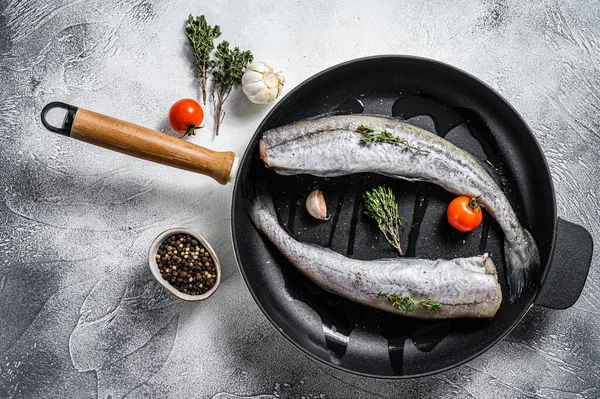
(381, 205)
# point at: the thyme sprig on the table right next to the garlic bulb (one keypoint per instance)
(228, 69)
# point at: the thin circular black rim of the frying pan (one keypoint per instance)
(504, 102)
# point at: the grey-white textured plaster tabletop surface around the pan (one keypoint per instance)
(80, 315)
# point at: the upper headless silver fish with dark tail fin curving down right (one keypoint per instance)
(330, 146)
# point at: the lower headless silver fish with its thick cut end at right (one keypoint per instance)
(465, 287)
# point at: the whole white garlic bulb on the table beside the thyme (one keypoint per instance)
(261, 83)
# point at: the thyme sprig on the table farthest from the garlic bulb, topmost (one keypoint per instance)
(201, 37)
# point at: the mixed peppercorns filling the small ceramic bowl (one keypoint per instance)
(186, 264)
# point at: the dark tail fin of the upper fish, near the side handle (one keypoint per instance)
(523, 265)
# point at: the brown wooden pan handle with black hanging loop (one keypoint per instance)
(141, 142)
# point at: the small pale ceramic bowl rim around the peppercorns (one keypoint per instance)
(156, 272)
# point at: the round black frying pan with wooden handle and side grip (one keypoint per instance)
(330, 329)
